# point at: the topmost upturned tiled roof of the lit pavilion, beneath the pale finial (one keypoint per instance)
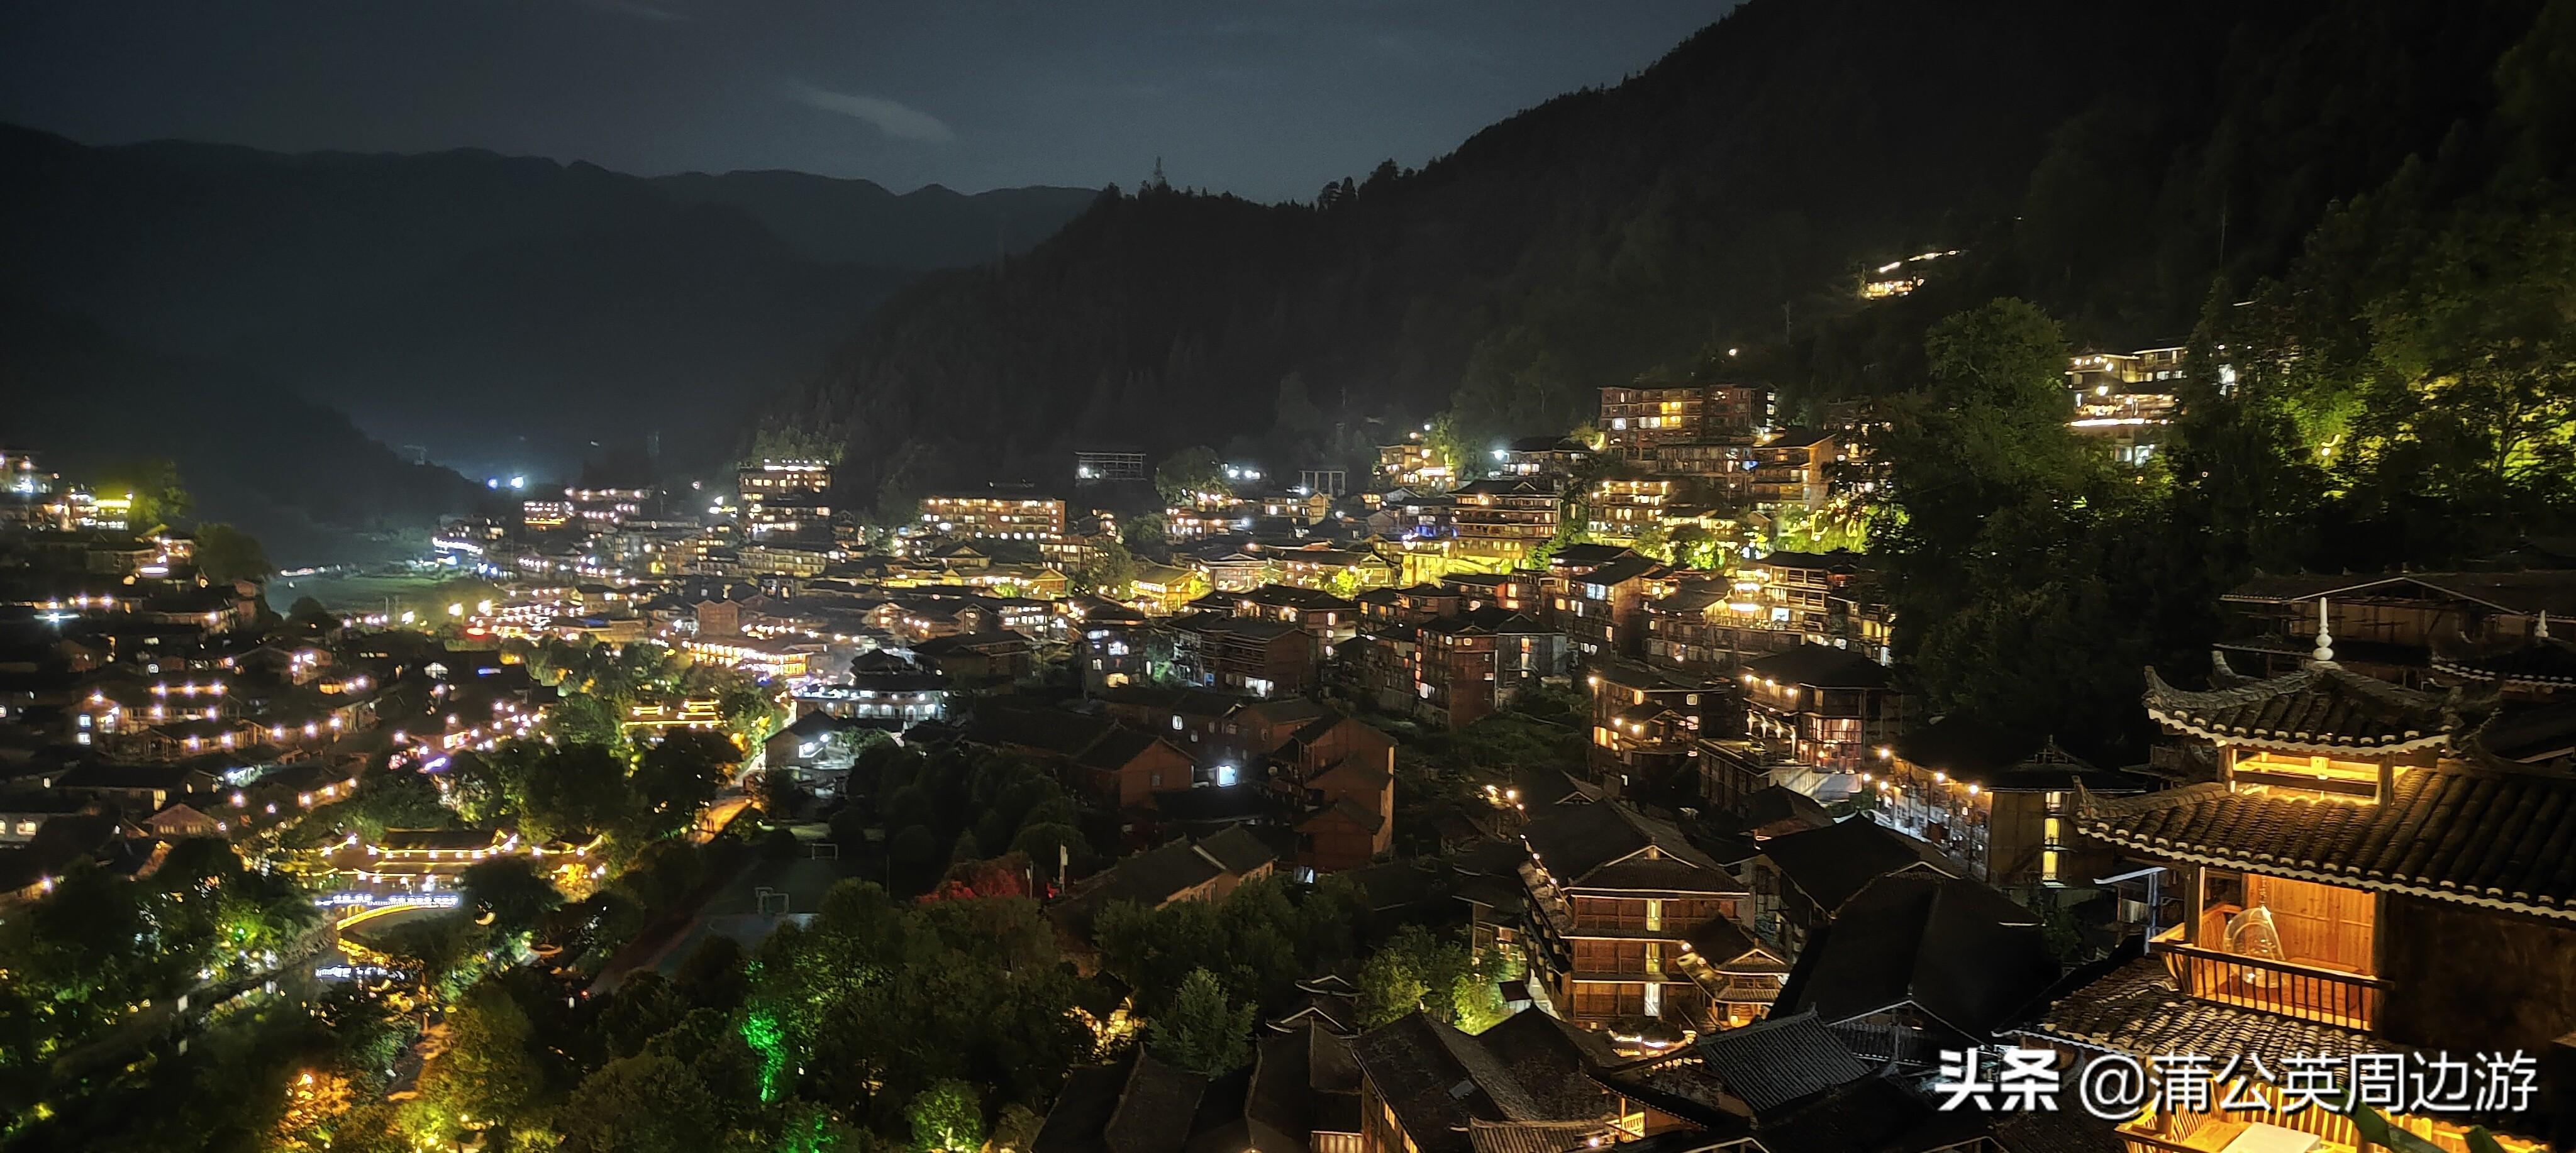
(2320, 706)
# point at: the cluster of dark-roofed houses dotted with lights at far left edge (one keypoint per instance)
(143, 701)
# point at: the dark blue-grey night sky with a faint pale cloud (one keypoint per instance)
(1261, 99)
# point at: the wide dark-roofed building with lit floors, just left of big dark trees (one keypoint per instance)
(1828, 709)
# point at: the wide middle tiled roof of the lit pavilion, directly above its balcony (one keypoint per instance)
(2454, 833)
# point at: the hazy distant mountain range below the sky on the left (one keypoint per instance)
(506, 313)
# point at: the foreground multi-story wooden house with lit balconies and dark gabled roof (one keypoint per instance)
(1614, 902)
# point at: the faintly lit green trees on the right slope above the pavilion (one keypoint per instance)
(2400, 390)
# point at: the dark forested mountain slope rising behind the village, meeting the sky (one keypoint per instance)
(2101, 158)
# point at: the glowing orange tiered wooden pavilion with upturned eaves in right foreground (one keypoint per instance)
(2361, 879)
